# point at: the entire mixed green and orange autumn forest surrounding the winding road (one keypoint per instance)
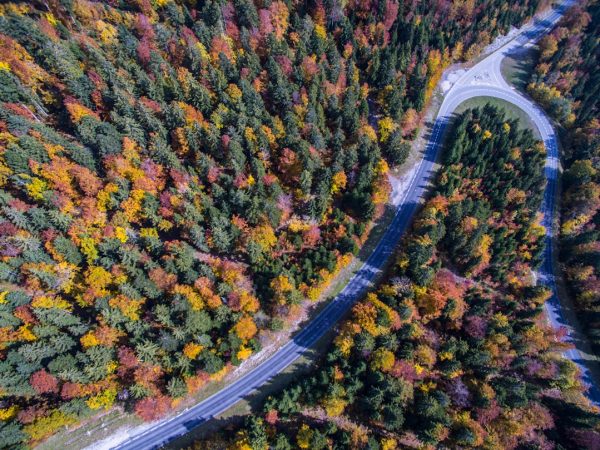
(179, 178)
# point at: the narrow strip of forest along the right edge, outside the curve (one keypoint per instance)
(566, 82)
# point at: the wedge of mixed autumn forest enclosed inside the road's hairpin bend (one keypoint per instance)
(452, 350)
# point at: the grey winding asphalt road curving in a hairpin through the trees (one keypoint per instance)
(483, 79)
